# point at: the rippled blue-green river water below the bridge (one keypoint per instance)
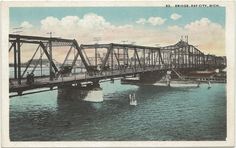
(161, 114)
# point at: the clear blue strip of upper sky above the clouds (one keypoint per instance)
(117, 15)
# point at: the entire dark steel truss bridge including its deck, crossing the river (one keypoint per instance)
(107, 61)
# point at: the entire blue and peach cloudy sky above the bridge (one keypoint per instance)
(150, 26)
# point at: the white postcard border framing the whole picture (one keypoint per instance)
(230, 53)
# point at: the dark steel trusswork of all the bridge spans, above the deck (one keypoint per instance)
(116, 57)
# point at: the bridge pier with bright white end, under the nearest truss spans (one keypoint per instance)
(91, 92)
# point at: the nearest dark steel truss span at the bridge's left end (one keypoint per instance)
(43, 43)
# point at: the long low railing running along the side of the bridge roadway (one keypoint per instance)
(102, 75)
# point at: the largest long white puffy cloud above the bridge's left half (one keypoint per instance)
(76, 26)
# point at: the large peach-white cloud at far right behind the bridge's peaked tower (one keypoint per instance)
(208, 35)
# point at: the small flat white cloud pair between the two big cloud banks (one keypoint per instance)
(151, 20)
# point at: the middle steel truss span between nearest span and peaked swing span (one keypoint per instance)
(123, 56)
